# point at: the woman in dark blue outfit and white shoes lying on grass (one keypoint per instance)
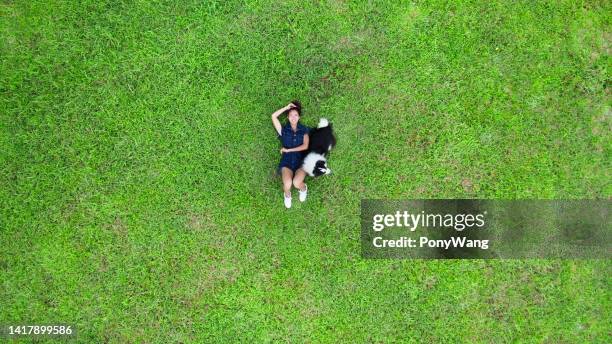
(294, 138)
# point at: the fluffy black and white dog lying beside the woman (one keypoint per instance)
(322, 140)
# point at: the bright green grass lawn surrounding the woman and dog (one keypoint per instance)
(137, 189)
